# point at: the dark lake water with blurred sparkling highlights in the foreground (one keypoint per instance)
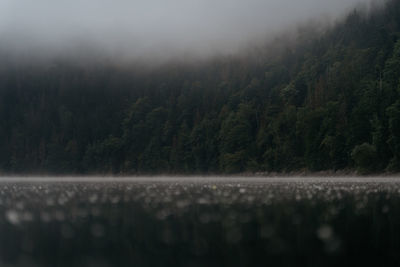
(200, 222)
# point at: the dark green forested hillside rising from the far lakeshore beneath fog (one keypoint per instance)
(327, 101)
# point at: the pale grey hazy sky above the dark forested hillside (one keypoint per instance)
(154, 26)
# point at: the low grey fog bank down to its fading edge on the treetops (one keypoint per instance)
(159, 31)
